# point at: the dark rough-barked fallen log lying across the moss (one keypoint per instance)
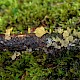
(32, 42)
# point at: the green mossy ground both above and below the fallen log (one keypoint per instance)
(21, 14)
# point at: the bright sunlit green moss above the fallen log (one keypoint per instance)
(21, 14)
